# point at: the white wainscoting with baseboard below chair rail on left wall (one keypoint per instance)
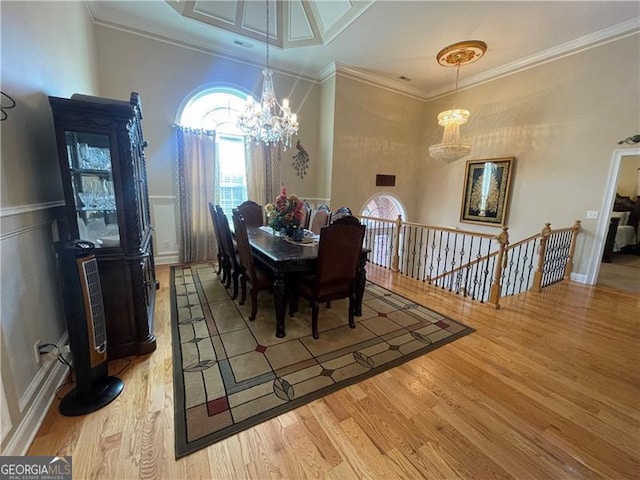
(32, 312)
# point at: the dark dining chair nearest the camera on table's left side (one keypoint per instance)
(252, 275)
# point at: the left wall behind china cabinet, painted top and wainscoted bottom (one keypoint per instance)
(47, 49)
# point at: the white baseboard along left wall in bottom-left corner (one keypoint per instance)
(31, 421)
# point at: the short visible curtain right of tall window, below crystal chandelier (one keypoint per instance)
(263, 171)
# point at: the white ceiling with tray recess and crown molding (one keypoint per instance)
(379, 40)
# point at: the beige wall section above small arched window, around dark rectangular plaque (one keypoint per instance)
(376, 131)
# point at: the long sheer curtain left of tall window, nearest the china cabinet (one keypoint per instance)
(196, 175)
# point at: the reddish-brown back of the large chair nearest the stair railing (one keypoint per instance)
(339, 254)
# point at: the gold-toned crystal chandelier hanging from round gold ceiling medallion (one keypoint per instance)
(451, 149)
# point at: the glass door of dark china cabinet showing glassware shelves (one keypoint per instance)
(91, 171)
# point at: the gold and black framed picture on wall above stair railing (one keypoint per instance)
(485, 197)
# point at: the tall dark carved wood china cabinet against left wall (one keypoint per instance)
(101, 153)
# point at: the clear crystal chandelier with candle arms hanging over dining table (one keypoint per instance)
(268, 121)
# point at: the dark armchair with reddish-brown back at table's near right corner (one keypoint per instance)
(339, 253)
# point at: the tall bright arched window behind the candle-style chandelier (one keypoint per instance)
(217, 109)
